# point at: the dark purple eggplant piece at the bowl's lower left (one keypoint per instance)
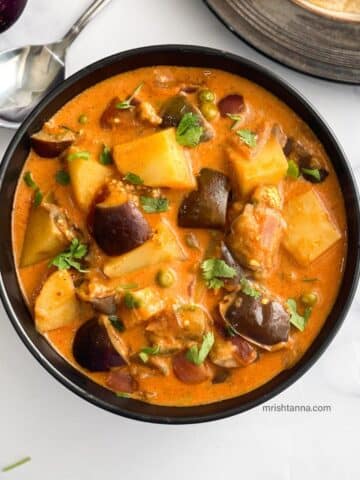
(93, 350)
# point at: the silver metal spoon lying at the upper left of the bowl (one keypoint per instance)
(28, 73)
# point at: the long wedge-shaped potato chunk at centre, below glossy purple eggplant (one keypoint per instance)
(162, 247)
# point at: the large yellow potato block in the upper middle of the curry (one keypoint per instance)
(158, 159)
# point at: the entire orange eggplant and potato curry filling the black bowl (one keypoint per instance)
(179, 234)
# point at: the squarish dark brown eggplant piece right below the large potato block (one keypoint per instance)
(207, 206)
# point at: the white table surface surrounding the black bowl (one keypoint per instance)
(68, 438)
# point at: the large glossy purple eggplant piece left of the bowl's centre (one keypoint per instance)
(120, 228)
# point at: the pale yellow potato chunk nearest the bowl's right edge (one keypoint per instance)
(310, 230)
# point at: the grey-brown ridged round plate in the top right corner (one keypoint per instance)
(319, 45)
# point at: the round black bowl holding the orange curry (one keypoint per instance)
(9, 287)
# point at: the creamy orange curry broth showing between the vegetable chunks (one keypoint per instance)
(287, 280)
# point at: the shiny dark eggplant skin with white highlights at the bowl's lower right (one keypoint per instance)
(266, 324)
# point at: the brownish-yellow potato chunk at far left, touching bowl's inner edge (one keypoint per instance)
(43, 239)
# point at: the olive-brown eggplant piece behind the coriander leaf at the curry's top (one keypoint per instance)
(175, 108)
